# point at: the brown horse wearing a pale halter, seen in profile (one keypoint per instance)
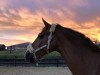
(81, 55)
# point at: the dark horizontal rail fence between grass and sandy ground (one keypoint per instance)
(42, 63)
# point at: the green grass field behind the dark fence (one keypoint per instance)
(19, 54)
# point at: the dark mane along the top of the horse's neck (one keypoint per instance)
(73, 35)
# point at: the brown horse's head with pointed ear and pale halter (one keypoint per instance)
(44, 43)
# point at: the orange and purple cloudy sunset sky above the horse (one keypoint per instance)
(20, 20)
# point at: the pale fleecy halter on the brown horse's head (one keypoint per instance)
(32, 50)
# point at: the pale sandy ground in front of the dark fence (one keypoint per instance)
(34, 71)
